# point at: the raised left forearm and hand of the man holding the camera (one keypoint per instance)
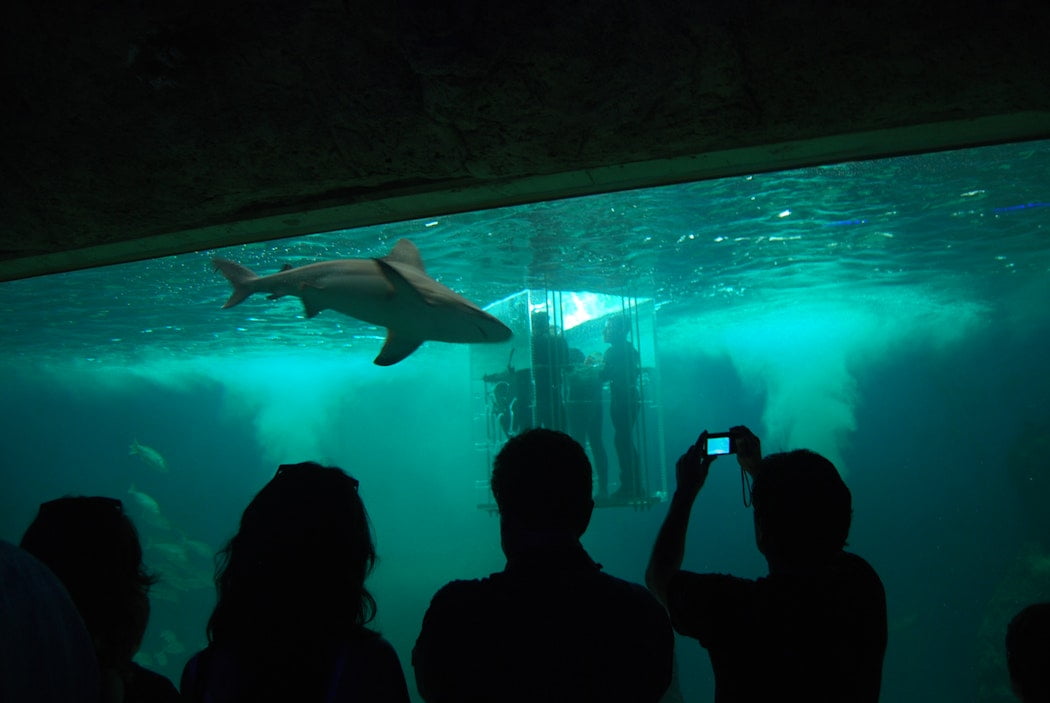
(691, 472)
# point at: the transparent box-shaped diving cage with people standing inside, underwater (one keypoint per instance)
(555, 373)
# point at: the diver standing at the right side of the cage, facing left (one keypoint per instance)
(623, 371)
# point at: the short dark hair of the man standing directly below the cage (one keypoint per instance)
(542, 480)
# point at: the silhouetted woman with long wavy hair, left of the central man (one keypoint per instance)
(290, 622)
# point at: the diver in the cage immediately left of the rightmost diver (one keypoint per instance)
(583, 409)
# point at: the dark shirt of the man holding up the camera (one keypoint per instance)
(816, 635)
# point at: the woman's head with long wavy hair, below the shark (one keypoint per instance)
(297, 567)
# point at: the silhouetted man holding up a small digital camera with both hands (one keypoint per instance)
(815, 628)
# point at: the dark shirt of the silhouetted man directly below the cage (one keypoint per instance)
(551, 628)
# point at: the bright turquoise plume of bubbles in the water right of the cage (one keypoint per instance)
(806, 358)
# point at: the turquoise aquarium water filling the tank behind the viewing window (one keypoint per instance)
(890, 314)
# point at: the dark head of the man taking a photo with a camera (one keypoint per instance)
(803, 507)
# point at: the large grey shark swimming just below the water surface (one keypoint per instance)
(392, 292)
